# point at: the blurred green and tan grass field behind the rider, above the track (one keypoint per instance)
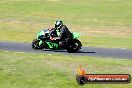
(99, 21)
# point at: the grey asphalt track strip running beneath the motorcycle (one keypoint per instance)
(85, 51)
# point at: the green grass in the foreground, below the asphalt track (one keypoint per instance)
(29, 70)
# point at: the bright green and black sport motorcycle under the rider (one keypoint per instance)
(73, 45)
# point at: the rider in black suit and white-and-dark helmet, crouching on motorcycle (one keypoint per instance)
(65, 34)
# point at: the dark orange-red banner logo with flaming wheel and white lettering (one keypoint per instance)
(83, 78)
